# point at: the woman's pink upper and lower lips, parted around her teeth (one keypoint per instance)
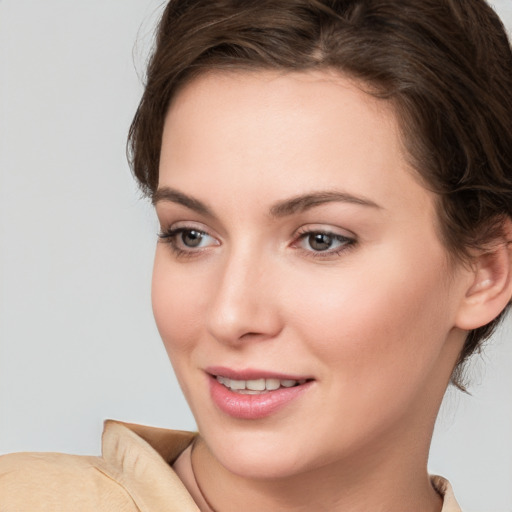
(253, 407)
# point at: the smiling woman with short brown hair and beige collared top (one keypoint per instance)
(333, 185)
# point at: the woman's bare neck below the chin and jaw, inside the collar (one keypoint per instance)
(377, 481)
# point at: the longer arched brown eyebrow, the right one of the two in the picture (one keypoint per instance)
(304, 202)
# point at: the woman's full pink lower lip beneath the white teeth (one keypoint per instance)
(253, 407)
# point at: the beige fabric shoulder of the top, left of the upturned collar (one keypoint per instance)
(51, 481)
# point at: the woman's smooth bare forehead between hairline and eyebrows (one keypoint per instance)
(266, 133)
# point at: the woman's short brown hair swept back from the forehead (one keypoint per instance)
(445, 64)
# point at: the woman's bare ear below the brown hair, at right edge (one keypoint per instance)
(490, 289)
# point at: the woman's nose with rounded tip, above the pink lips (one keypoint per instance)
(244, 305)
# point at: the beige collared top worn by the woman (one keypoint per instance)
(133, 474)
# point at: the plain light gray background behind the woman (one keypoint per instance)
(77, 340)
